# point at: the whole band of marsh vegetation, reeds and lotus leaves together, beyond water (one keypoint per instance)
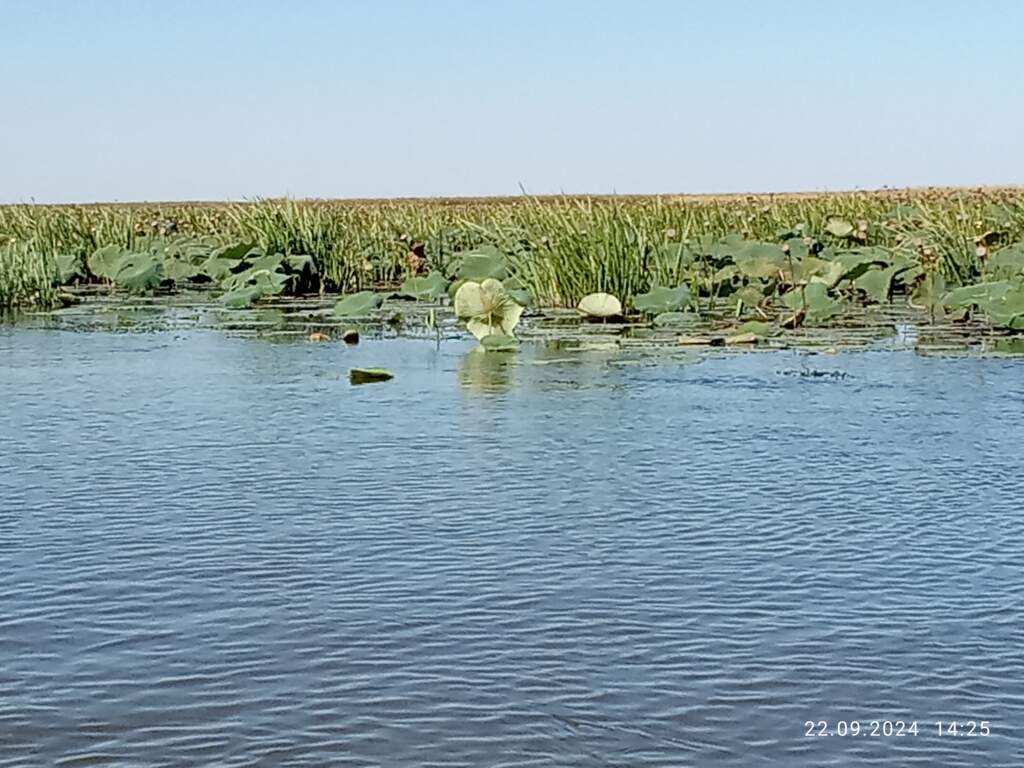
(784, 262)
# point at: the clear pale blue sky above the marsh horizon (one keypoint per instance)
(230, 100)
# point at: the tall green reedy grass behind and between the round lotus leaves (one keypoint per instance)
(562, 248)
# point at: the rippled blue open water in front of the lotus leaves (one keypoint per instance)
(216, 551)
